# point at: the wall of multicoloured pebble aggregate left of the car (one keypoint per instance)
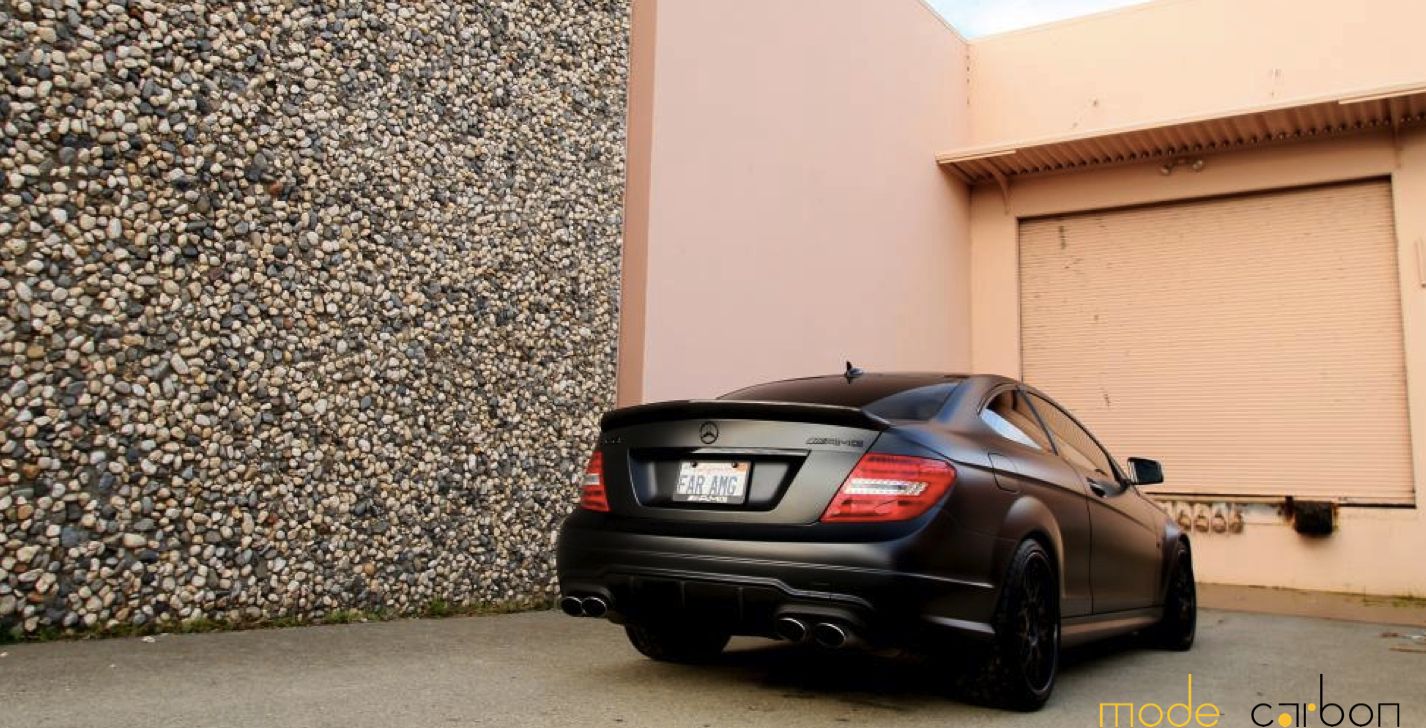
(309, 306)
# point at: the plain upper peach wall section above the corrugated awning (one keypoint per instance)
(1187, 59)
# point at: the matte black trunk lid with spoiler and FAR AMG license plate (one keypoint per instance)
(732, 461)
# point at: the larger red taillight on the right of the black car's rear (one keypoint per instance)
(891, 488)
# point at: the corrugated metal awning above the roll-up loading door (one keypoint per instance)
(1390, 108)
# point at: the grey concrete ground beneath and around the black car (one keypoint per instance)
(550, 670)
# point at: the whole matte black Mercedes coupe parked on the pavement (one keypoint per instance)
(966, 514)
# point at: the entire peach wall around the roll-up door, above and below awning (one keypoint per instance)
(1201, 59)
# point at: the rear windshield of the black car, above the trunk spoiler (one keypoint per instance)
(888, 397)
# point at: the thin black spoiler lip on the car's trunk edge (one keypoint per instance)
(742, 410)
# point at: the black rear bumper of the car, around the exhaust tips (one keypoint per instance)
(747, 588)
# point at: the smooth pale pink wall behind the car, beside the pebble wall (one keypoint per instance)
(796, 216)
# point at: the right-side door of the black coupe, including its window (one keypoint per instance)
(1126, 545)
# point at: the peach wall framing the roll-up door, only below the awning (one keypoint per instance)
(1375, 551)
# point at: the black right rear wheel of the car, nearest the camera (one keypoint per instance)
(1017, 670)
